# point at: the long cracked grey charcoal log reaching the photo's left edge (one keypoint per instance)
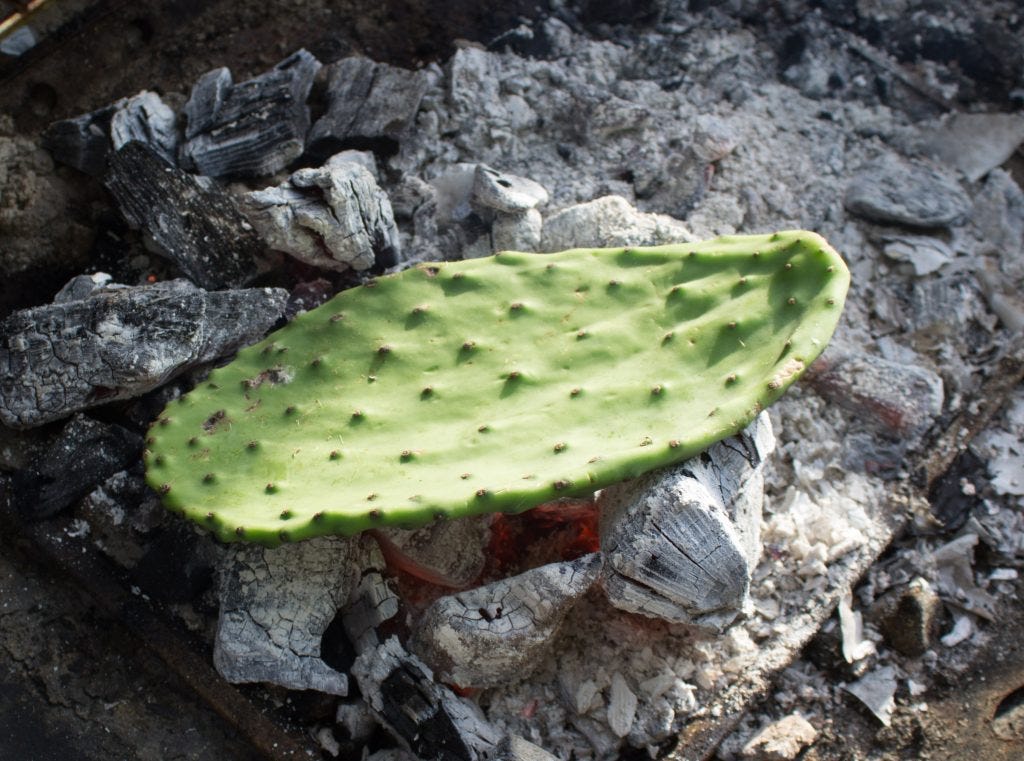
(120, 343)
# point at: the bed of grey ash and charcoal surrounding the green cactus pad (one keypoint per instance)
(613, 625)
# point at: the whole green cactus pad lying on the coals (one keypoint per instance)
(496, 385)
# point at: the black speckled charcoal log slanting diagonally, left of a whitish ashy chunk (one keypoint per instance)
(196, 226)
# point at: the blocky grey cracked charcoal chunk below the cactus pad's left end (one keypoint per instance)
(276, 605)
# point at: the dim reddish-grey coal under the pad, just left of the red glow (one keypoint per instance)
(450, 554)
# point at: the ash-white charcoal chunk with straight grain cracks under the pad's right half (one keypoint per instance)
(680, 543)
